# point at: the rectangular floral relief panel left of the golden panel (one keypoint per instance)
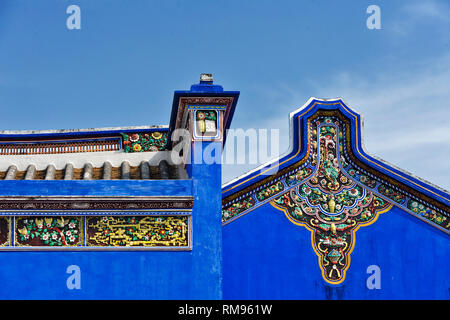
(48, 231)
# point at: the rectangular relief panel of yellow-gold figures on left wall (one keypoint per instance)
(137, 231)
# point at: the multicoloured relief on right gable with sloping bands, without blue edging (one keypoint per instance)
(330, 195)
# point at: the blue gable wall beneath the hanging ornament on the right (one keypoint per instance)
(265, 256)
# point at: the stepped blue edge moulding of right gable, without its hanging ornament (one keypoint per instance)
(419, 197)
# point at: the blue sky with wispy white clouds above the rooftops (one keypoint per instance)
(122, 67)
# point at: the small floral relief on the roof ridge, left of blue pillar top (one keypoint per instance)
(142, 142)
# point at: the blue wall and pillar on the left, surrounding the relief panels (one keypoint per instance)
(196, 274)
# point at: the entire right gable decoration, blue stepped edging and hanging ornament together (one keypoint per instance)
(329, 185)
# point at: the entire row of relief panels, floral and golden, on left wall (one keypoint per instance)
(102, 231)
